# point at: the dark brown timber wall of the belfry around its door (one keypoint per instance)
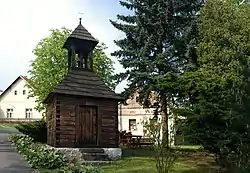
(108, 135)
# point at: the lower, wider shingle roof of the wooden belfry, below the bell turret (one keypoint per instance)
(81, 82)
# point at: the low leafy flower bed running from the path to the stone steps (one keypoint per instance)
(40, 156)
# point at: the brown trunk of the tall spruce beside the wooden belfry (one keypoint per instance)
(165, 117)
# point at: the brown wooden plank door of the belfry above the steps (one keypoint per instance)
(87, 126)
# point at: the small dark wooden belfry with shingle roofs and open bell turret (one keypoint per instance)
(82, 111)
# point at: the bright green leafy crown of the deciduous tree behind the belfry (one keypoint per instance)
(50, 65)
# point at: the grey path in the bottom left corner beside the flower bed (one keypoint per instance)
(10, 160)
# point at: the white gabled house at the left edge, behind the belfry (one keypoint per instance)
(14, 101)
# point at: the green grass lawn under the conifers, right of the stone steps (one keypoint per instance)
(142, 161)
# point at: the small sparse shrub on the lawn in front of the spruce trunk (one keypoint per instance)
(165, 157)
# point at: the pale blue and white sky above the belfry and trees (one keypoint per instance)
(24, 23)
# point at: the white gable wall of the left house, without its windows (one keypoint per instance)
(18, 102)
